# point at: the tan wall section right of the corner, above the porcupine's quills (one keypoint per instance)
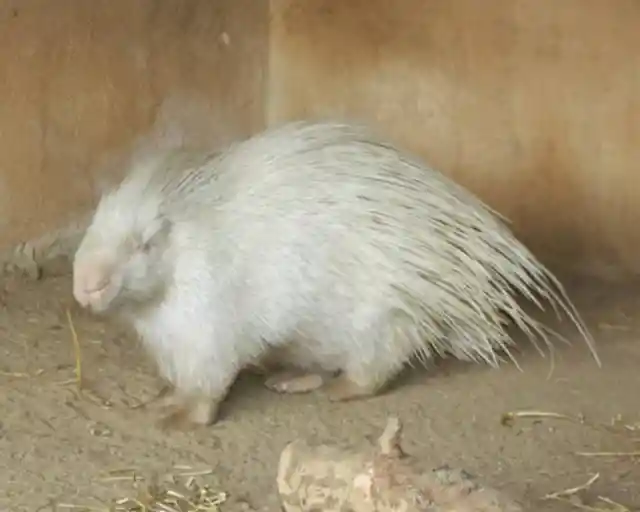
(533, 104)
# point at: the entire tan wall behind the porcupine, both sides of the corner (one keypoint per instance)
(530, 103)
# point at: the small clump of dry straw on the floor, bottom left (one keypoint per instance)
(181, 492)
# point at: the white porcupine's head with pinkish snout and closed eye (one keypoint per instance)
(122, 257)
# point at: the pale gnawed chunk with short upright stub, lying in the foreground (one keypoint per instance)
(383, 479)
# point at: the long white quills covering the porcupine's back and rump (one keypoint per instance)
(323, 228)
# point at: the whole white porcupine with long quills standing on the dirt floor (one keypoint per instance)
(313, 237)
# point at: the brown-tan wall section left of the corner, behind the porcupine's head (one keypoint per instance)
(82, 78)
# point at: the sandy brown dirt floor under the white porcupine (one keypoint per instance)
(57, 446)
